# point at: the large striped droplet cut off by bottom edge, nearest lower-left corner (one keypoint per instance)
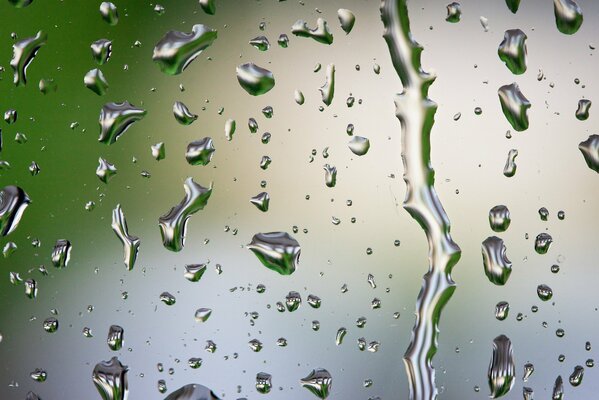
(110, 378)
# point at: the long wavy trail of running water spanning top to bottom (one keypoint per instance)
(416, 113)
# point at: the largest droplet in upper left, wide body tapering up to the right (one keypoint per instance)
(176, 50)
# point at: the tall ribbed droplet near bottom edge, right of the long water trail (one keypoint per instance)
(502, 368)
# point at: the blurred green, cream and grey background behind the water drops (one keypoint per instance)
(468, 156)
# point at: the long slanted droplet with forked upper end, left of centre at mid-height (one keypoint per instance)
(173, 224)
